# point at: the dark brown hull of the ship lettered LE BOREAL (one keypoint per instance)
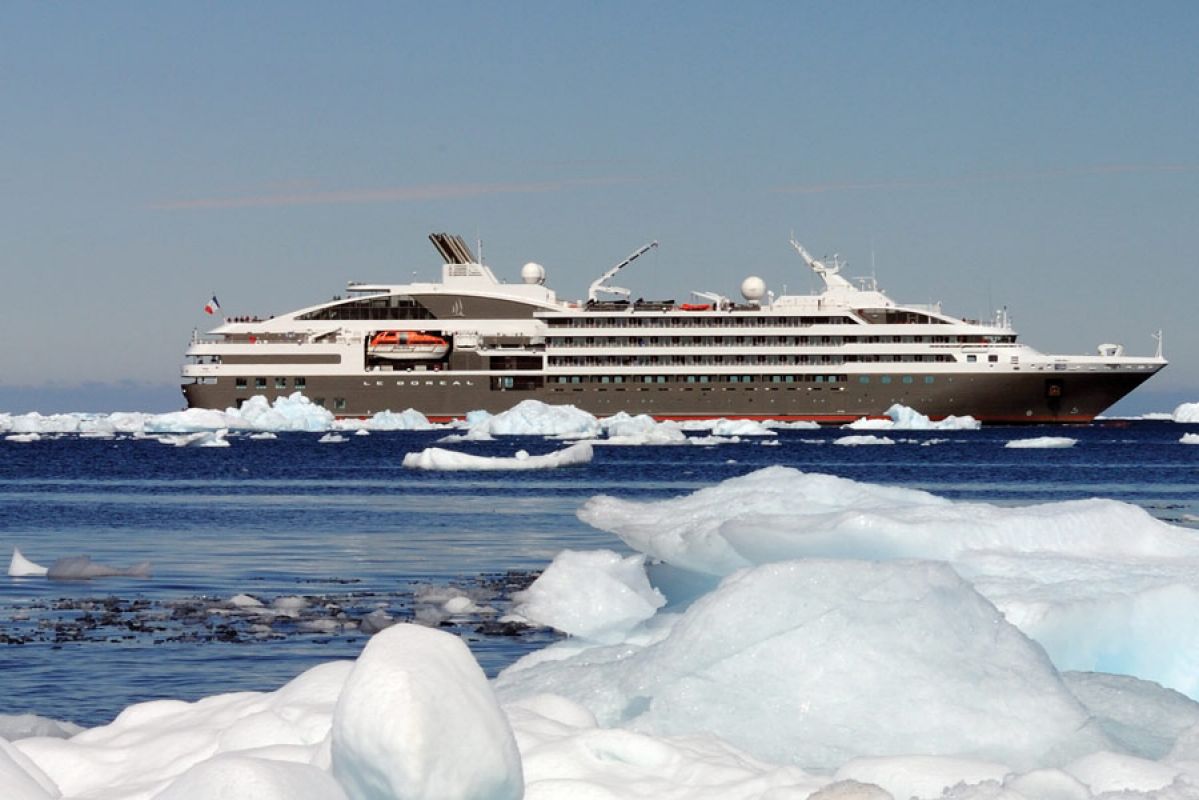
(1028, 398)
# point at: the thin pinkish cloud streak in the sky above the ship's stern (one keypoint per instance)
(390, 195)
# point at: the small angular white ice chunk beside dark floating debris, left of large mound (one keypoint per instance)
(595, 596)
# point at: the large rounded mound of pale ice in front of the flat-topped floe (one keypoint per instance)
(782, 660)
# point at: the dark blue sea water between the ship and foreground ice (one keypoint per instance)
(352, 532)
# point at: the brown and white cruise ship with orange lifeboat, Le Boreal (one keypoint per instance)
(474, 342)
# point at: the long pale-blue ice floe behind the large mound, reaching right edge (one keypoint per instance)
(1100, 585)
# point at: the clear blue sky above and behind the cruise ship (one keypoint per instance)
(1035, 155)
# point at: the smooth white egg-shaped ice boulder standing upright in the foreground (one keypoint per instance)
(419, 720)
